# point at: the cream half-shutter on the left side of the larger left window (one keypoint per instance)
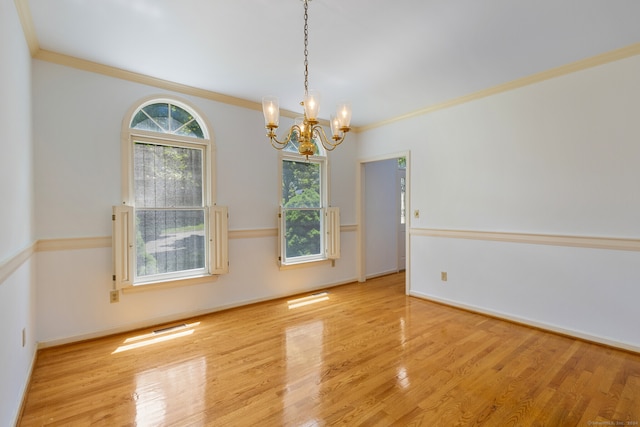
(123, 240)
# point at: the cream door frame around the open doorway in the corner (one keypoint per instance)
(360, 216)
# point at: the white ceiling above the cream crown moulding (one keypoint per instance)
(388, 57)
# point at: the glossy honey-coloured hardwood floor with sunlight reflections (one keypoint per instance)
(363, 354)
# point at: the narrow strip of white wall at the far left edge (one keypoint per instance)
(17, 299)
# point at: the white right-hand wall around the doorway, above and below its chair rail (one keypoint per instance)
(557, 157)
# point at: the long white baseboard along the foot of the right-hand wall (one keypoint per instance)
(530, 323)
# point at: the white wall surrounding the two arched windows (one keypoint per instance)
(77, 124)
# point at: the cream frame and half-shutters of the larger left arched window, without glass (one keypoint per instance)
(124, 235)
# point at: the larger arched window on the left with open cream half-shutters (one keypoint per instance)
(167, 223)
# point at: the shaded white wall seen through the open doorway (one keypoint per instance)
(381, 217)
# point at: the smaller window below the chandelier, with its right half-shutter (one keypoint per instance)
(309, 229)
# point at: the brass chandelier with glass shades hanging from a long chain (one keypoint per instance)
(307, 129)
